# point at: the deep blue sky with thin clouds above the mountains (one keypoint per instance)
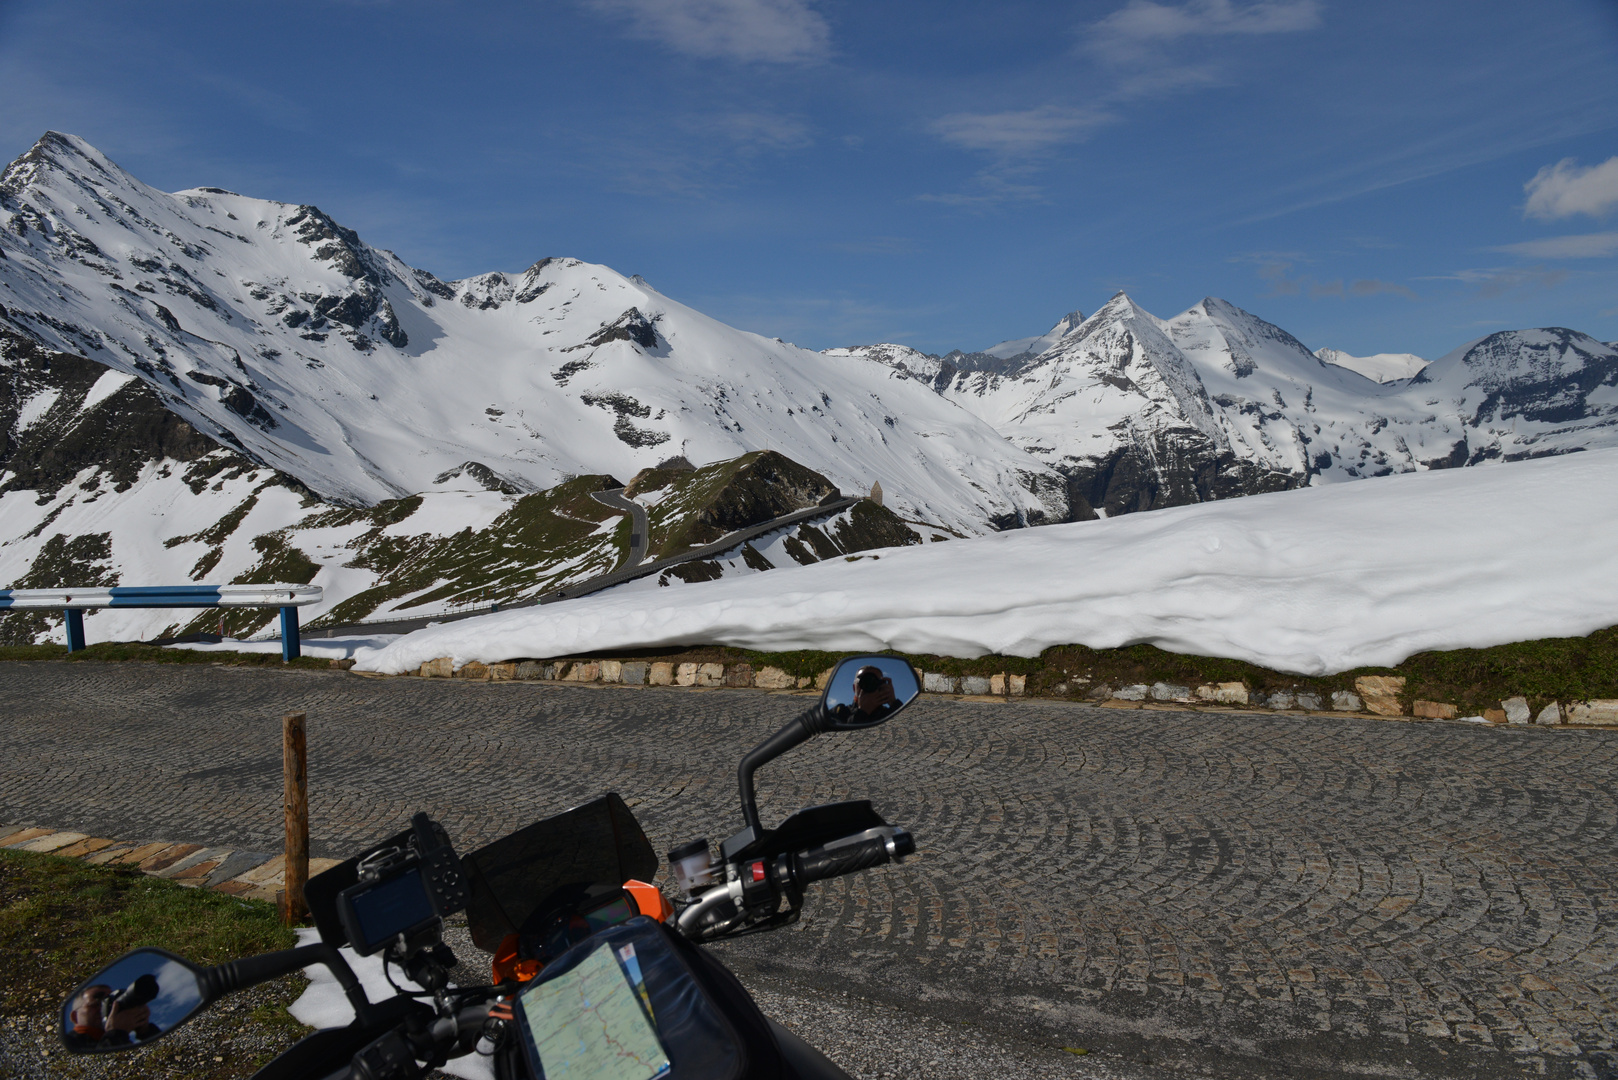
(1371, 176)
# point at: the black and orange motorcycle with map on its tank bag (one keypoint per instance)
(595, 976)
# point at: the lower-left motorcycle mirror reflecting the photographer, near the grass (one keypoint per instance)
(138, 998)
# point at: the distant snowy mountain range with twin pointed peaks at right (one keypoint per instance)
(1141, 412)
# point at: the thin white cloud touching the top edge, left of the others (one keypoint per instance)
(787, 32)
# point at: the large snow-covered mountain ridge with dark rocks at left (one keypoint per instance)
(281, 333)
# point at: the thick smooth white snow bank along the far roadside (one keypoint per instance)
(1315, 582)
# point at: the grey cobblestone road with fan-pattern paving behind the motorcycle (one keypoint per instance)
(1219, 893)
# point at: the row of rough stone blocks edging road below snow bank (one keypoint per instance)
(1373, 695)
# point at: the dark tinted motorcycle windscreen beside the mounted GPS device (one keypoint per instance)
(554, 864)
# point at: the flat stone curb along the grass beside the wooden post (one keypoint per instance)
(255, 875)
